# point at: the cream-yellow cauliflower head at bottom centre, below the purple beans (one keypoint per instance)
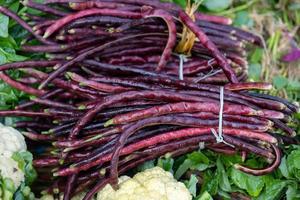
(152, 184)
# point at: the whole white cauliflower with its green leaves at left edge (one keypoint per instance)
(15, 164)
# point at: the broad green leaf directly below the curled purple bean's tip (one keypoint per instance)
(252, 184)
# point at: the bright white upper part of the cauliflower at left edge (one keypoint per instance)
(11, 141)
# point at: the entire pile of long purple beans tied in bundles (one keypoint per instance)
(110, 98)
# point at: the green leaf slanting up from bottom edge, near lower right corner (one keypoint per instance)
(273, 191)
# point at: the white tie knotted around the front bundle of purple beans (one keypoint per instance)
(219, 135)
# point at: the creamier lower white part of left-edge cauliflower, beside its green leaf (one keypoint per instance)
(9, 169)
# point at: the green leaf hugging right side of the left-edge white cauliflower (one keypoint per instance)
(24, 160)
